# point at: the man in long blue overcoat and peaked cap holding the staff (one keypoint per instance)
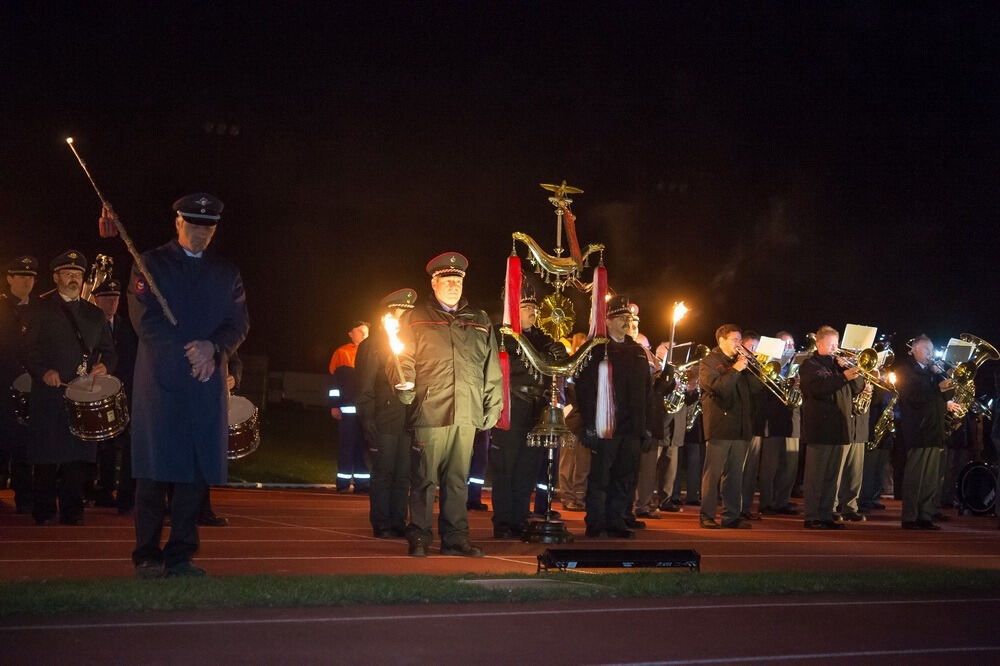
(179, 423)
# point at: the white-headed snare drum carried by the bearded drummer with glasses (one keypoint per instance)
(96, 406)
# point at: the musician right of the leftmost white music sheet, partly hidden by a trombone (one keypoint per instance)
(779, 449)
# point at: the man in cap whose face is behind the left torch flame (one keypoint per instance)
(383, 421)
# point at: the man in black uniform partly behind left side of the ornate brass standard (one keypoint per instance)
(514, 464)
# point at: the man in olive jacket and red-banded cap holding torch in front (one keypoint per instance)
(450, 356)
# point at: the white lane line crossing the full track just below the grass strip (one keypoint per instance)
(487, 614)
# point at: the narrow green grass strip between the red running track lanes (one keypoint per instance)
(117, 595)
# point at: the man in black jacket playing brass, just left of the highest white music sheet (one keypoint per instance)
(828, 387)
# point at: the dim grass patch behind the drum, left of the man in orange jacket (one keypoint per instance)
(297, 445)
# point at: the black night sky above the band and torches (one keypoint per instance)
(772, 164)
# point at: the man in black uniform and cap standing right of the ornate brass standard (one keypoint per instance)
(615, 461)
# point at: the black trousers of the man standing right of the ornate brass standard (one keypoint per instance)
(611, 484)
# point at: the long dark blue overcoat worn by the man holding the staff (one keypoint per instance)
(179, 425)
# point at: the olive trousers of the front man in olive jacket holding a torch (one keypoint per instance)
(440, 457)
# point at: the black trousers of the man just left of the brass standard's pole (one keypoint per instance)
(515, 467)
